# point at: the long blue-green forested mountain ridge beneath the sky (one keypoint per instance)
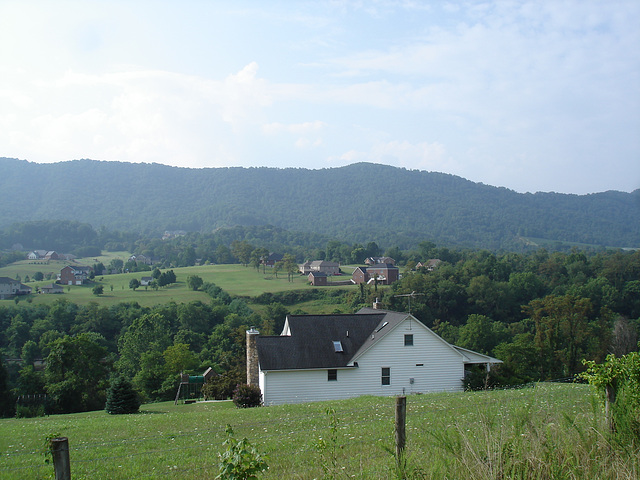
(358, 203)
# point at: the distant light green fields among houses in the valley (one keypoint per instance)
(234, 279)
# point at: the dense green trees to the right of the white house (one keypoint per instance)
(541, 313)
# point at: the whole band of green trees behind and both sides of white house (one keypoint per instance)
(542, 313)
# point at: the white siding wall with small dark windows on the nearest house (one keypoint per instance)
(442, 369)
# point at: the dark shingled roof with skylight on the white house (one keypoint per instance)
(311, 342)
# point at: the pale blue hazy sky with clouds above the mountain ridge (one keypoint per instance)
(531, 96)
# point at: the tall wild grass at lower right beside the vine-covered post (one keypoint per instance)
(534, 440)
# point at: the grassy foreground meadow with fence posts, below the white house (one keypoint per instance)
(547, 431)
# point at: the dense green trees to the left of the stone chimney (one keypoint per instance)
(84, 346)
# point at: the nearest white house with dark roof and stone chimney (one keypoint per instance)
(372, 352)
